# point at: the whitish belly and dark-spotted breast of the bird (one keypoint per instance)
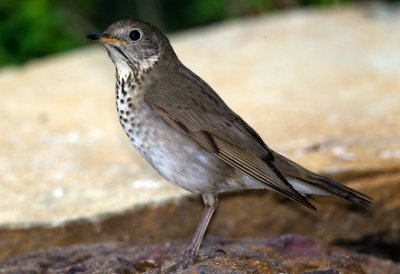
(172, 154)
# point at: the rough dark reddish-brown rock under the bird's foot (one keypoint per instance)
(285, 254)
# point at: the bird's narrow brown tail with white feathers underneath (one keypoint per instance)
(307, 182)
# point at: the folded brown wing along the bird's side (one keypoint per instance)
(212, 125)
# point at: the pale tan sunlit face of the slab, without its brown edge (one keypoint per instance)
(323, 87)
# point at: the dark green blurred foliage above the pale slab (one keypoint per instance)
(36, 28)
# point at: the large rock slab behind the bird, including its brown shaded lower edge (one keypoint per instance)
(321, 92)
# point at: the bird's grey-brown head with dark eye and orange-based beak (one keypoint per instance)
(133, 45)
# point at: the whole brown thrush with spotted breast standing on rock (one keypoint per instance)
(180, 125)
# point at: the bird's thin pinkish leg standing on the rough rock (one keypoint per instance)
(210, 202)
